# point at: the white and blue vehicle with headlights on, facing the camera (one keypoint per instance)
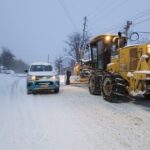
(42, 77)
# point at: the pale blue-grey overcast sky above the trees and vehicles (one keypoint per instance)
(34, 29)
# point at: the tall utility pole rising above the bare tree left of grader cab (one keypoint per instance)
(82, 48)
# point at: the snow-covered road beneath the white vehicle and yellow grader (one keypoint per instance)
(70, 120)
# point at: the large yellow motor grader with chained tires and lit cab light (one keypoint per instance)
(119, 70)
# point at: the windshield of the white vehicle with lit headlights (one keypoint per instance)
(41, 68)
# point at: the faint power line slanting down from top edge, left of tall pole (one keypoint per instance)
(63, 5)
